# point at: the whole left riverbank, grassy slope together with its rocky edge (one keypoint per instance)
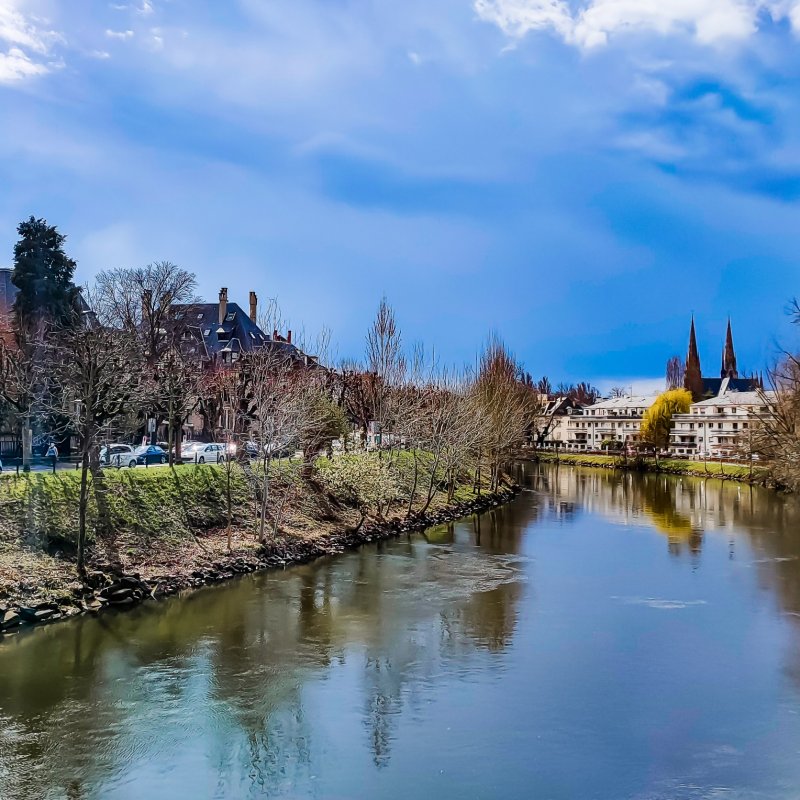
(170, 534)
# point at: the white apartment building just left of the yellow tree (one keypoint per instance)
(617, 419)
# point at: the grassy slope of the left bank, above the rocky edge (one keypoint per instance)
(163, 524)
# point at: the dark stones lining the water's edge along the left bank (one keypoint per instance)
(105, 590)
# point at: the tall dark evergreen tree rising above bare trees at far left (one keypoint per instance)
(43, 275)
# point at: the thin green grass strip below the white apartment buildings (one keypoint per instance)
(696, 469)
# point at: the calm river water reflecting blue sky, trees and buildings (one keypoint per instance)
(604, 636)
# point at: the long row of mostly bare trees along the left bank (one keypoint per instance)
(98, 364)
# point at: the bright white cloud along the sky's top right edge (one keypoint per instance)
(591, 23)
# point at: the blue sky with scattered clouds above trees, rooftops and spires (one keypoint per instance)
(580, 176)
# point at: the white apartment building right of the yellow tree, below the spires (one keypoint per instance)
(721, 426)
